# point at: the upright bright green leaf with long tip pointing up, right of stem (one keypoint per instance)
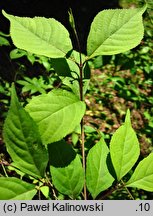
(124, 148)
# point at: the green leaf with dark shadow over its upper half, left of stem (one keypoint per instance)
(66, 168)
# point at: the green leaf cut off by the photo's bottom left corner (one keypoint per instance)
(15, 189)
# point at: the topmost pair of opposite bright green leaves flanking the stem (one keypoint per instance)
(111, 32)
